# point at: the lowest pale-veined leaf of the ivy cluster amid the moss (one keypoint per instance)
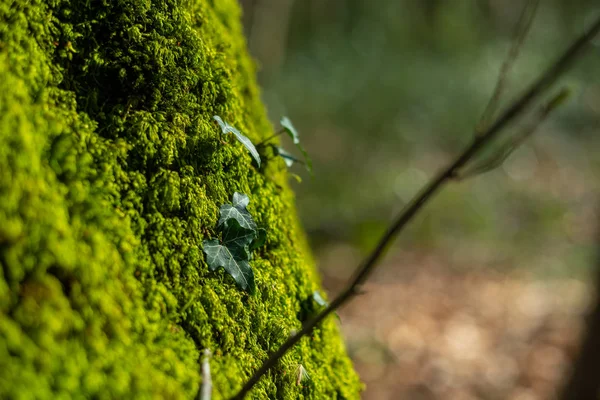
(234, 261)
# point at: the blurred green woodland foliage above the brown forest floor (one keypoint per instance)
(384, 93)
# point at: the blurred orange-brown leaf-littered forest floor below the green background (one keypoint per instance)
(434, 333)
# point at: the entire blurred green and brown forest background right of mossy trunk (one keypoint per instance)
(483, 296)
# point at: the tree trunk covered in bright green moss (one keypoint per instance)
(112, 173)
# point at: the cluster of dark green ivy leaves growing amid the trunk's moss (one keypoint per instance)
(240, 236)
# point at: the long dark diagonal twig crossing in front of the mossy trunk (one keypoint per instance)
(366, 267)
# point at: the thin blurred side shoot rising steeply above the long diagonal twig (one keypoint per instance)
(523, 27)
